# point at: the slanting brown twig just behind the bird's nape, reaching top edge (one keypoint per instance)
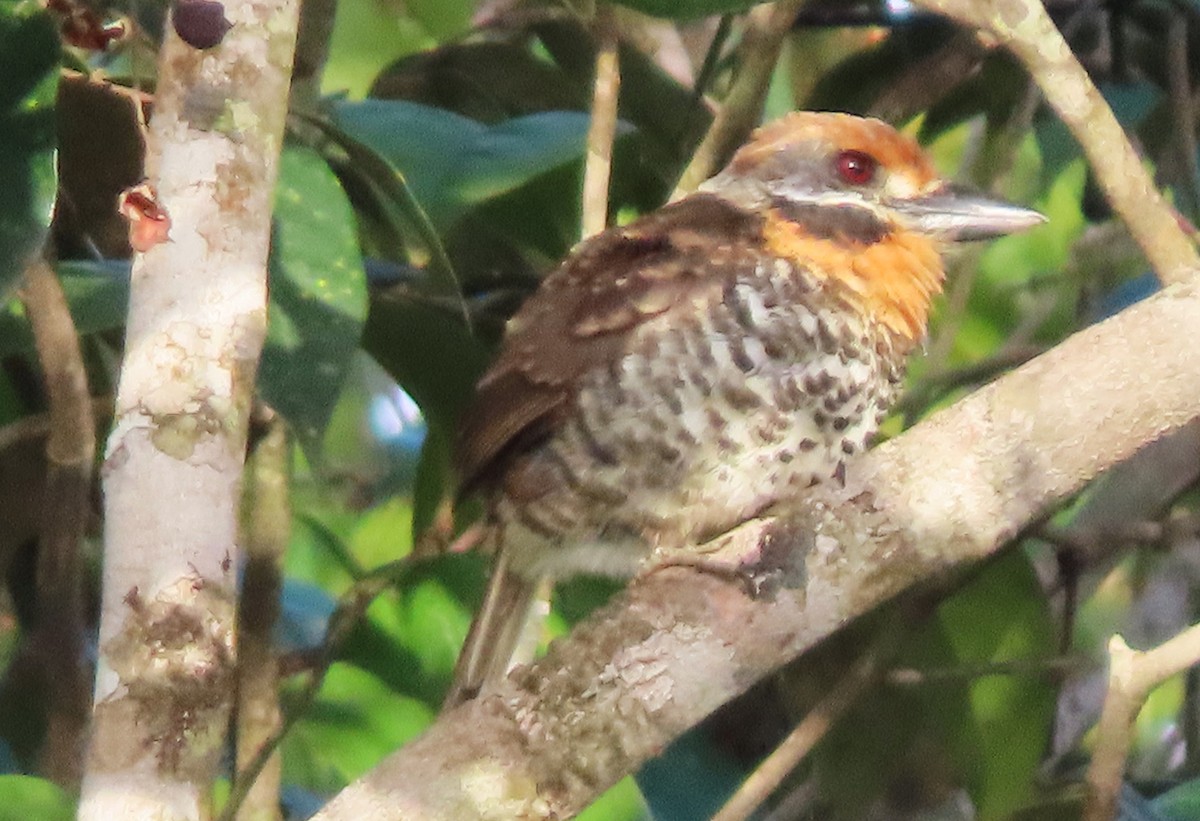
(761, 45)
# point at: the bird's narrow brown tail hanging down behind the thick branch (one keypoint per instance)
(494, 636)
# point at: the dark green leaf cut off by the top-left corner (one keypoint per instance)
(29, 64)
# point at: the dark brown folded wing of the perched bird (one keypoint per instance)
(583, 315)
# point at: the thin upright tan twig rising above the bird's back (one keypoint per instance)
(607, 91)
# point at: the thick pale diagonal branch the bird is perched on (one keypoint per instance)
(681, 642)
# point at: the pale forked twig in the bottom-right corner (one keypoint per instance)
(1132, 676)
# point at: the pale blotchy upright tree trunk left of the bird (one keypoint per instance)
(175, 459)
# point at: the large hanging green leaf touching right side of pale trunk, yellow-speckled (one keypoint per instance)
(319, 295)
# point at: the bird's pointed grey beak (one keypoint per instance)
(959, 214)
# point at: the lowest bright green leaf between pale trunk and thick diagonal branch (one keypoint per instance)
(353, 724)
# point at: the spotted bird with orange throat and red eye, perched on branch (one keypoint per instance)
(695, 368)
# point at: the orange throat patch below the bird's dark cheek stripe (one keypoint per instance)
(893, 280)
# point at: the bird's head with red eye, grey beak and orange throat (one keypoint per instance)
(861, 205)
